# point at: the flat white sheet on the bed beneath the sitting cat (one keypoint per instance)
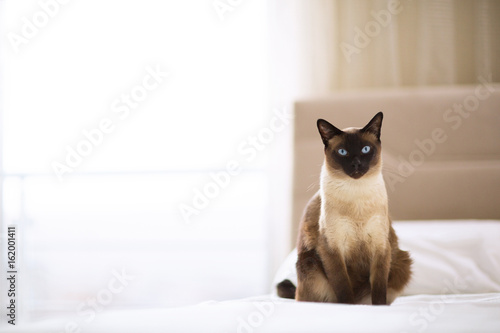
(423, 313)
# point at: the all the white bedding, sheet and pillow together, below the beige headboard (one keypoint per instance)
(455, 288)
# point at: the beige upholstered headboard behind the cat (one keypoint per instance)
(441, 148)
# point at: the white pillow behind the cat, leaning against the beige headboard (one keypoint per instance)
(449, 257)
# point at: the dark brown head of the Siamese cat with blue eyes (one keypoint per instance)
(354, 152)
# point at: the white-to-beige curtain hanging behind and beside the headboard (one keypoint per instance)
(319, 47)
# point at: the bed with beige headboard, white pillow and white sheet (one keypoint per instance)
(442, 165)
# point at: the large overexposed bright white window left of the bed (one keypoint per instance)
(138, 105)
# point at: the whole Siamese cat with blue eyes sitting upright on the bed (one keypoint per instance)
(347, 249)
